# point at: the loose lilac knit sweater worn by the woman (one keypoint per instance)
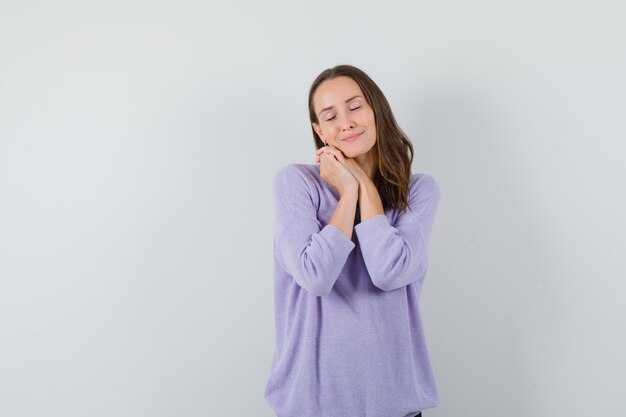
(349, 335)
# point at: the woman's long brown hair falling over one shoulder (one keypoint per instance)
(395, 152)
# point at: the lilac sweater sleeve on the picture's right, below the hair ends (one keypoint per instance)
(397, 255)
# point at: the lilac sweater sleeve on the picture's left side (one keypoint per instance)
(313, 255)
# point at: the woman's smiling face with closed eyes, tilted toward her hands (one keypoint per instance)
(345, 119)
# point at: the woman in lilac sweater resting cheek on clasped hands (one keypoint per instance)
(350, 250)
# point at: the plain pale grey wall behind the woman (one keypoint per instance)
(138, 142)
